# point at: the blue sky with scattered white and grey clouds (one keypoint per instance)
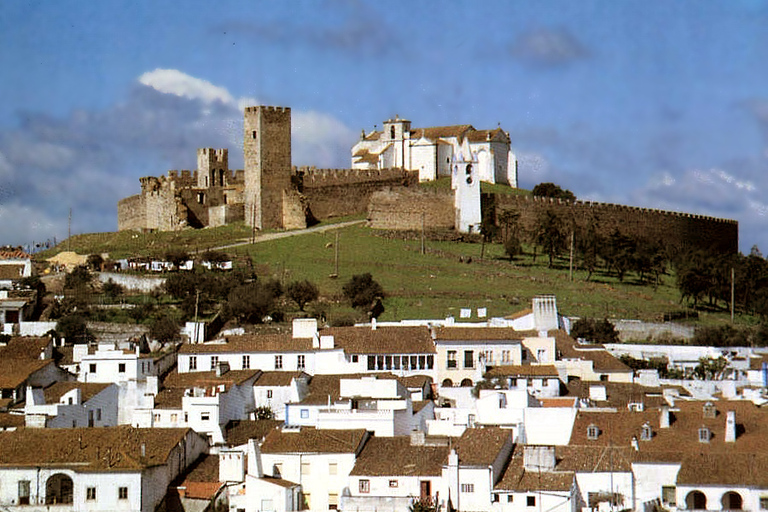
(662, 104)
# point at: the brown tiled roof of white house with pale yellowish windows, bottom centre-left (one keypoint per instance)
(311, 440)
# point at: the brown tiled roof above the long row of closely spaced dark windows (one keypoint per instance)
(383, 340)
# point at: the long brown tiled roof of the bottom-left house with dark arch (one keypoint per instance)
(91, 449)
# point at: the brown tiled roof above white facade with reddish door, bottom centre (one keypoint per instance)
(394, 456)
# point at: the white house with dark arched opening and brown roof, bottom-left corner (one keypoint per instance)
(100, 469)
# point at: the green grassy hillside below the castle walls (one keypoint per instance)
(431, 285)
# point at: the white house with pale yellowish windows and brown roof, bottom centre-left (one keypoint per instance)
(320, 461)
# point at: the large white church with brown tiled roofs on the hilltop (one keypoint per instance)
(431, 151)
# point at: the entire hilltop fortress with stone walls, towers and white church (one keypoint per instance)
(270, 193)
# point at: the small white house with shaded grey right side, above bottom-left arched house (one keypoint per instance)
(69, 404)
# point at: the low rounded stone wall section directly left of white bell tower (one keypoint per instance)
(407, 208)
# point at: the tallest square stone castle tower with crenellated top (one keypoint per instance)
(267, 155)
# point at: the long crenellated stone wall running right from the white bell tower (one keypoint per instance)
(675, 229)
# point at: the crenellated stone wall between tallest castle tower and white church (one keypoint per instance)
(340, 192)
